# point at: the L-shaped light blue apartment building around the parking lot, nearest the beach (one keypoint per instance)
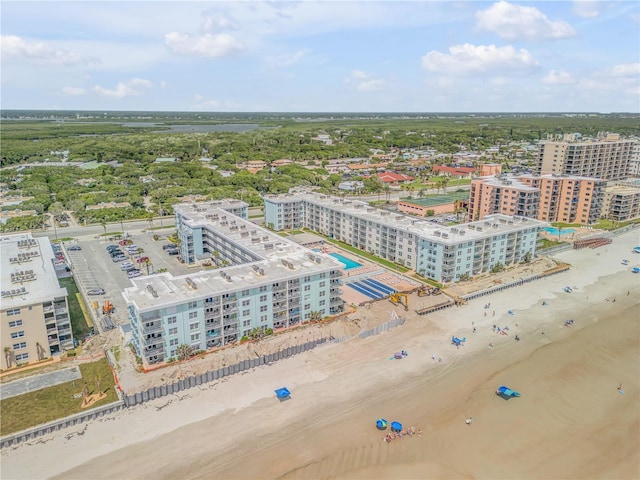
(269, 282)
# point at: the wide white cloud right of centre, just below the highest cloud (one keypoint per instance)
(468, 59)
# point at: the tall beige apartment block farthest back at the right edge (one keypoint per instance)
(606, 157)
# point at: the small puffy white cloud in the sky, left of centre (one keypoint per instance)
(207, 45)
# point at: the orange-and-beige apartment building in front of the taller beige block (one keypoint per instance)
(550, 198)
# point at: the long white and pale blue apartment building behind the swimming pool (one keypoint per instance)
(445, 254)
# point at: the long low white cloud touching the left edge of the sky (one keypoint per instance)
(39, 53)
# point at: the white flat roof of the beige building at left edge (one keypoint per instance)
(27, 274)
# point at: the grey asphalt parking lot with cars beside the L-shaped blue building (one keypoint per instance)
(94, 269)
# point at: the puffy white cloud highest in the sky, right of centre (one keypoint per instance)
(514, 22)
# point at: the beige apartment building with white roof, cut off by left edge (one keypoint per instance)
(34, 315)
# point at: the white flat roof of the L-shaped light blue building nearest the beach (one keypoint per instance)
(274, 259)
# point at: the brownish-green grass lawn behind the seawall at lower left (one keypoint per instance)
(48, 404)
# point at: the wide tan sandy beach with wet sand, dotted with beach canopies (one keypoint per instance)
(570, 422)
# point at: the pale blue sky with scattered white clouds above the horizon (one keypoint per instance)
(321, 56)
